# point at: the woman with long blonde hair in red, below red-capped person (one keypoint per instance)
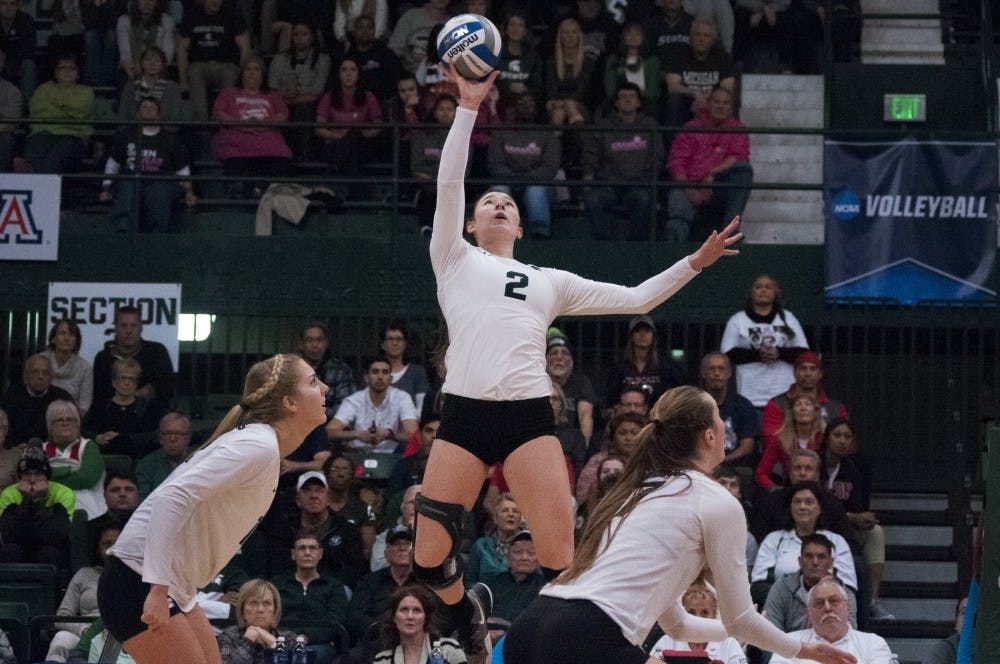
(803, 428)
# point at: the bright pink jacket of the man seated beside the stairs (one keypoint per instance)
(693, 155)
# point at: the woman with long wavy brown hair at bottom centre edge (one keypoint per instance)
(410, 632)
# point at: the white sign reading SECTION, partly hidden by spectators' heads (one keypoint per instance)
(93, 305)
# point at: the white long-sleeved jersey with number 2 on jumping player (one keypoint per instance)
(498, 309)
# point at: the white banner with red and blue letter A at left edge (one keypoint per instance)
(29, 217)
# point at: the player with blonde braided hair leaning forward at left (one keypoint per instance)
(191, 525)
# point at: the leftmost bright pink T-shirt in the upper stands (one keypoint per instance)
(240, 104)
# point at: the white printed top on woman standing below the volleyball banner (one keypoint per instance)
(756, 381)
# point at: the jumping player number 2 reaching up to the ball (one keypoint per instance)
(496, 389)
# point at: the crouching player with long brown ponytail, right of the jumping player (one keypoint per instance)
(652, 535)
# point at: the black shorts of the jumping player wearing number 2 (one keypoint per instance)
(493, 429)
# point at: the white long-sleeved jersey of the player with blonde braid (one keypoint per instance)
(189, 528)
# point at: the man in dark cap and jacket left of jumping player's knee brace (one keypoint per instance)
(373, 593)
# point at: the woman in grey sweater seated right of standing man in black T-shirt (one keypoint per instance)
(300, 76)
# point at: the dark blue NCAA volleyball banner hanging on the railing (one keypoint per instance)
(910, 221)
